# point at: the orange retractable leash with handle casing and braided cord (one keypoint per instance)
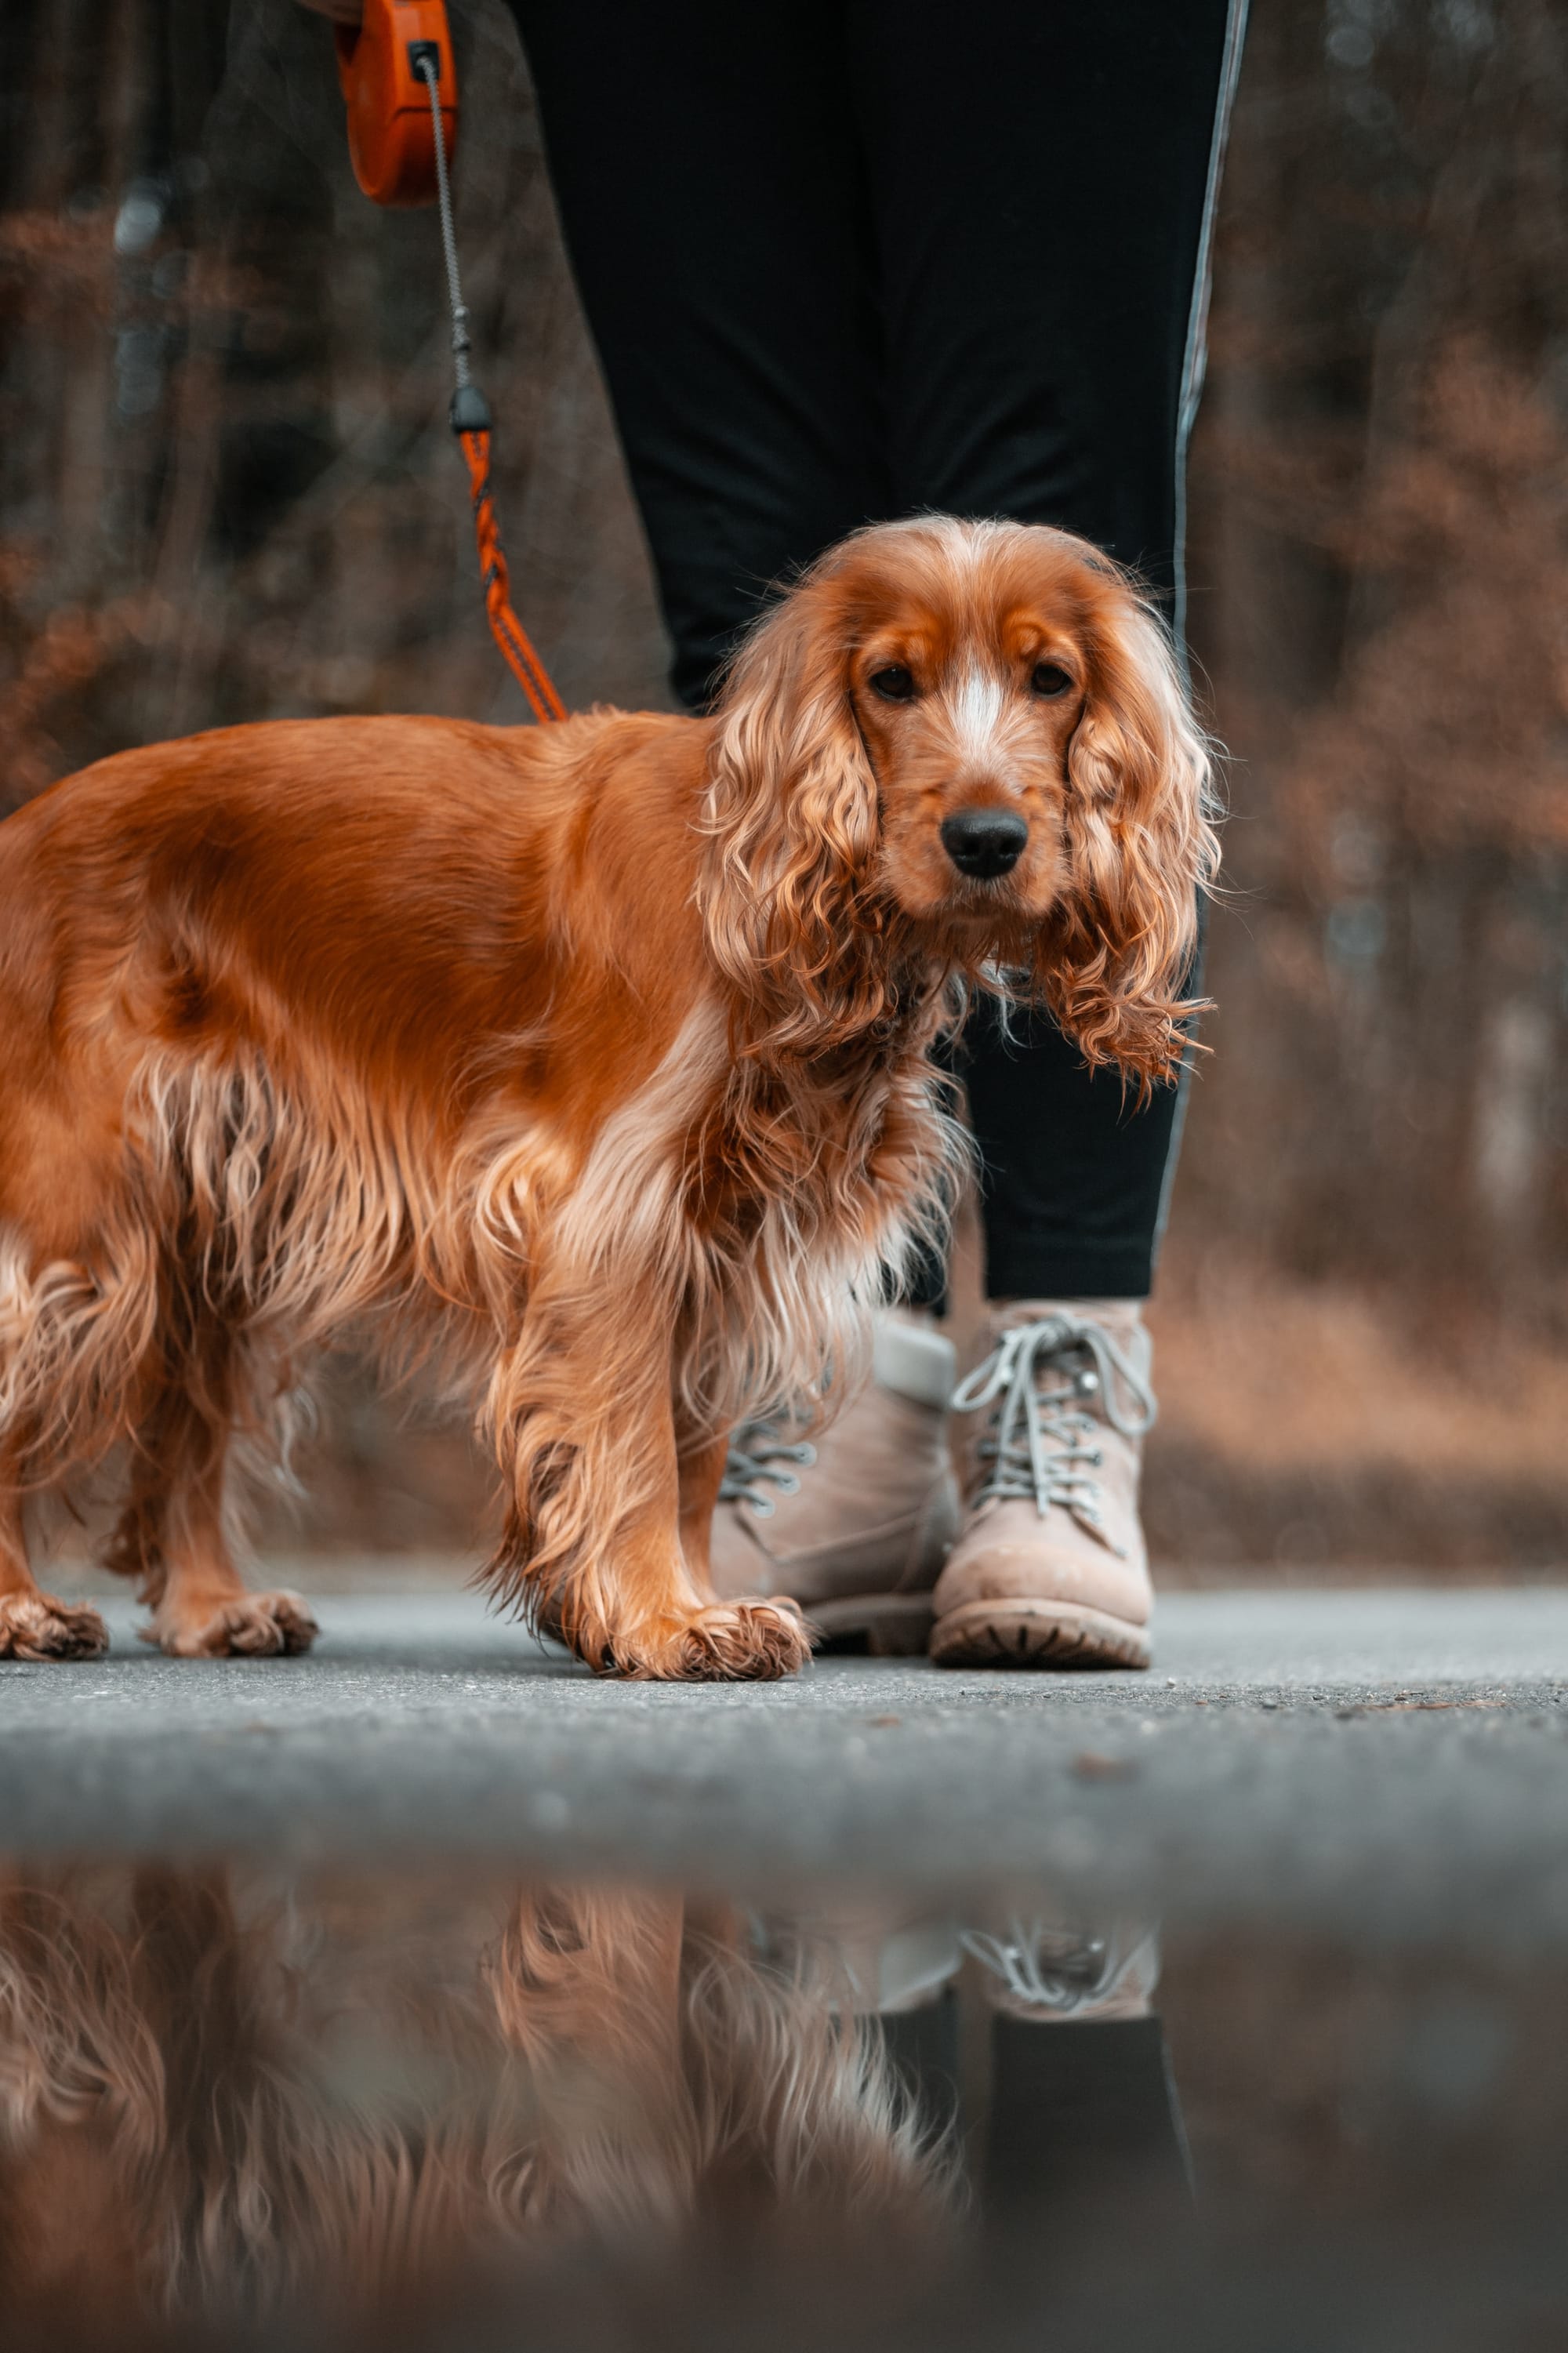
(399, 79)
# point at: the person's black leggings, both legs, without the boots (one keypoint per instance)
(846, 260)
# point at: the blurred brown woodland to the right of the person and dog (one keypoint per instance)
(1381, 498)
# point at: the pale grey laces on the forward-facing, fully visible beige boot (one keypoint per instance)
(1039, 1444)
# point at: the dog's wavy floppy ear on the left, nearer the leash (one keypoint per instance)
(792, 829)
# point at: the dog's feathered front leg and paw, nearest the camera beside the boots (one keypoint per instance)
(592, 1547)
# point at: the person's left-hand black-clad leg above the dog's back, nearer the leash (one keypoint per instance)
(715, 211)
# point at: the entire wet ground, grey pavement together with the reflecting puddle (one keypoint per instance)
(434, 1994)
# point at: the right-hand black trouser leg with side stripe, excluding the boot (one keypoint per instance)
(1042, 187)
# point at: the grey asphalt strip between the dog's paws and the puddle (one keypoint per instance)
(1393, 1764)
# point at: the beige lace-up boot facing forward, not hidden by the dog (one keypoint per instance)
(1051, 1566)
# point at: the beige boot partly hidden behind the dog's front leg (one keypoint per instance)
(858, 1521)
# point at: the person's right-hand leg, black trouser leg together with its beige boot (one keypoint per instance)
(1042, 192)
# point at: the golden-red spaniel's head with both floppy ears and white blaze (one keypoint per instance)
(964, 742)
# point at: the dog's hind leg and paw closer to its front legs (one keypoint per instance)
(173, 1533)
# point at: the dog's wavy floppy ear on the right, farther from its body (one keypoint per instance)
(1141, 848)
